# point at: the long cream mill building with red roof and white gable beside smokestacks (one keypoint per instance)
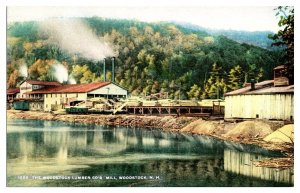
(63, 95)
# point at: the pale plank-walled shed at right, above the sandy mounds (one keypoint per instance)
(261, 100)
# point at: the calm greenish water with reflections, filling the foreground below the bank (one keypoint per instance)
(68, 154)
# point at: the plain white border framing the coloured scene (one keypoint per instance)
(5, 3)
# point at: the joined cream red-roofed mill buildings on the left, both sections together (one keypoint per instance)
(46, 96)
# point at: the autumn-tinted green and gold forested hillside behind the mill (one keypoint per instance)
(150, 58)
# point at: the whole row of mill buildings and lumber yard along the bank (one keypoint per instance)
(269, 99)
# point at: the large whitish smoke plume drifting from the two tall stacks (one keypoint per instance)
(76, 38)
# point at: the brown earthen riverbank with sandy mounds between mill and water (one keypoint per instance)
(247, 132)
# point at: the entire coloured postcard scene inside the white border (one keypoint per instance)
(150, 96)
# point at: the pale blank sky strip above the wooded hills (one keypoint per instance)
(250, 18)
